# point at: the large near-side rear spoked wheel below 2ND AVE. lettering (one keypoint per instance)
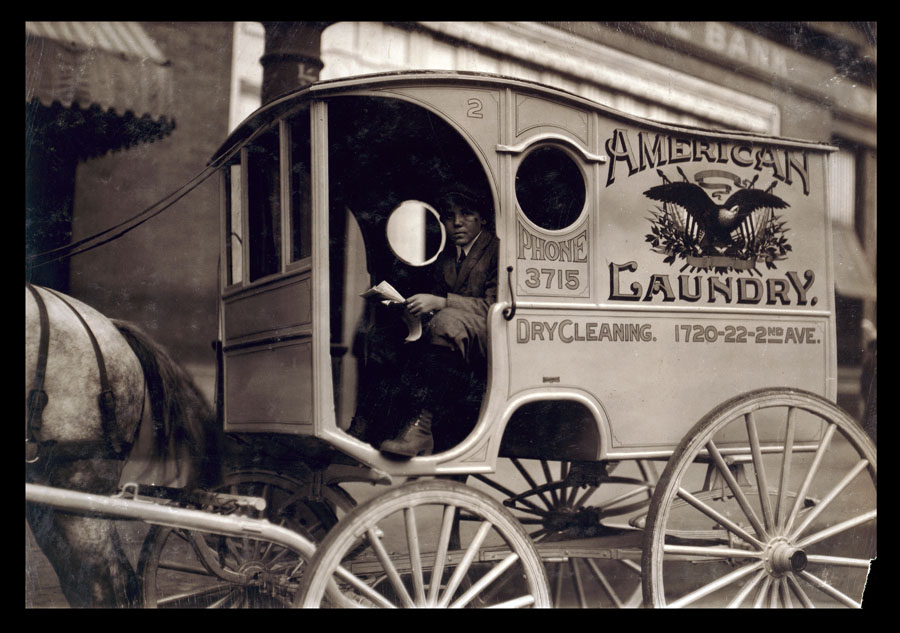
(769, 501)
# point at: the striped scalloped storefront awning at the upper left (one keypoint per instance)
(105, 83)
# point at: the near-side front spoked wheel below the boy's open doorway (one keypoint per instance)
(402, 549)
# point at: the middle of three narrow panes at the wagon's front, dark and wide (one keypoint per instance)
(264, 199)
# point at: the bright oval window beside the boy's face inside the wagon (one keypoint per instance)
(415, 233)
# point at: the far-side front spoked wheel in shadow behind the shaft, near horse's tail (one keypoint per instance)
(183, 568)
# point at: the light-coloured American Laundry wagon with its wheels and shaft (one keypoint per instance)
(652, 420)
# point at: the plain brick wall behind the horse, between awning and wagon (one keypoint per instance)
(163, 274)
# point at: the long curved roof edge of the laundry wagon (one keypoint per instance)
(332, 87)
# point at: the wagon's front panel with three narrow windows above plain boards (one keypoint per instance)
(268, 321)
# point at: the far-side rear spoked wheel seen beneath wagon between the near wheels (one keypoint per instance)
(558, 501)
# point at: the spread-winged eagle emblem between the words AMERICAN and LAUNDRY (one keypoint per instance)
(710, 233)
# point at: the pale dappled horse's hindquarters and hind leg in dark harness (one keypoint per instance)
(104, 403)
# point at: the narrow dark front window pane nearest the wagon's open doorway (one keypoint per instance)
(301, 196)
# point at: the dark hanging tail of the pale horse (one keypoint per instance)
(181, 413)
